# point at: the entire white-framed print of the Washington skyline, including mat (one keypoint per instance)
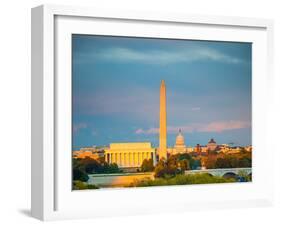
(136, 112)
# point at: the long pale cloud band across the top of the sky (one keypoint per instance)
(153, 56)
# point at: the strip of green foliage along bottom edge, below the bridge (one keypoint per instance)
(182, 180)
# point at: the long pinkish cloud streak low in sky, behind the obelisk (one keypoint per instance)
(217, 126)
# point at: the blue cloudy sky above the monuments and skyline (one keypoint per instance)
(116, 82)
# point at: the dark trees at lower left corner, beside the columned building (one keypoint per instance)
(83, 167)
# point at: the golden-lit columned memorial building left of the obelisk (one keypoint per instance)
(129, 154)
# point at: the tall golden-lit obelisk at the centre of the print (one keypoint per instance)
(163, 122)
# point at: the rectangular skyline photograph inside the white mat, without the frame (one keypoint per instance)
(158, 112)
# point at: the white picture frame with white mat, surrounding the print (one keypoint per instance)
(52, 197)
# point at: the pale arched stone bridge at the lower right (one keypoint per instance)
(225, 172)
